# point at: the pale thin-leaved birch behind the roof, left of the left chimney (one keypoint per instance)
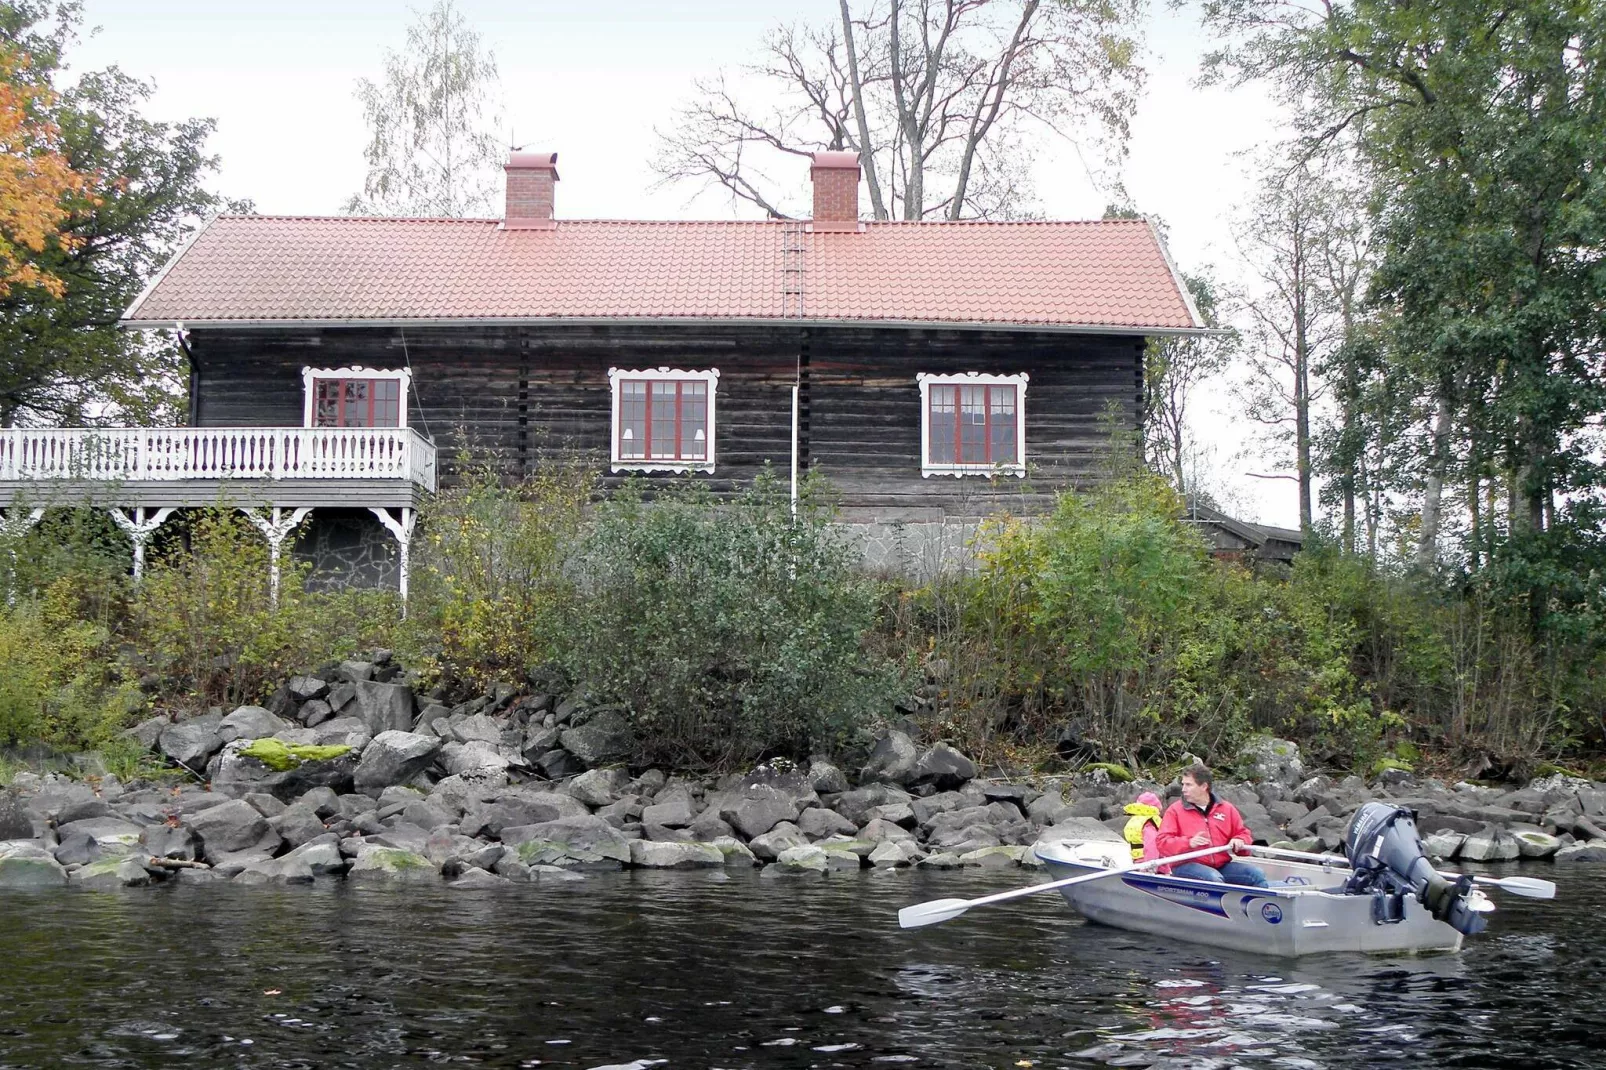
(433, 120)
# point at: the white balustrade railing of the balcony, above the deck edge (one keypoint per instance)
(137, 455)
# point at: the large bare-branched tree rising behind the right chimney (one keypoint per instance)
(940, 99)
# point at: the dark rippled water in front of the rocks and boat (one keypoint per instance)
(756, 973)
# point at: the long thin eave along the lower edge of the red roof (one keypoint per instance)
(190, 324)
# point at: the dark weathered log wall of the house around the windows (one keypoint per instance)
(521, 396)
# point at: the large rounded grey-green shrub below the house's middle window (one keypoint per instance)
(727, 631)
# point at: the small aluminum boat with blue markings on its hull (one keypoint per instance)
(1305, 910)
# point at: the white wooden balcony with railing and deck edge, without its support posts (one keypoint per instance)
(200, 467)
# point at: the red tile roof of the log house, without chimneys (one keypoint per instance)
(263, 269)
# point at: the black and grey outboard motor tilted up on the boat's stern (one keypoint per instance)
(1390, 862)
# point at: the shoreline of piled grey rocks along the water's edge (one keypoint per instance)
(351, 777)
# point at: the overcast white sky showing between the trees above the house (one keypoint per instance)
(592, 81)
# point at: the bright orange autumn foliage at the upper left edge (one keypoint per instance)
(35, 181)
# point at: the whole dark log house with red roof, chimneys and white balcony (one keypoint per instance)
(336, 364)
